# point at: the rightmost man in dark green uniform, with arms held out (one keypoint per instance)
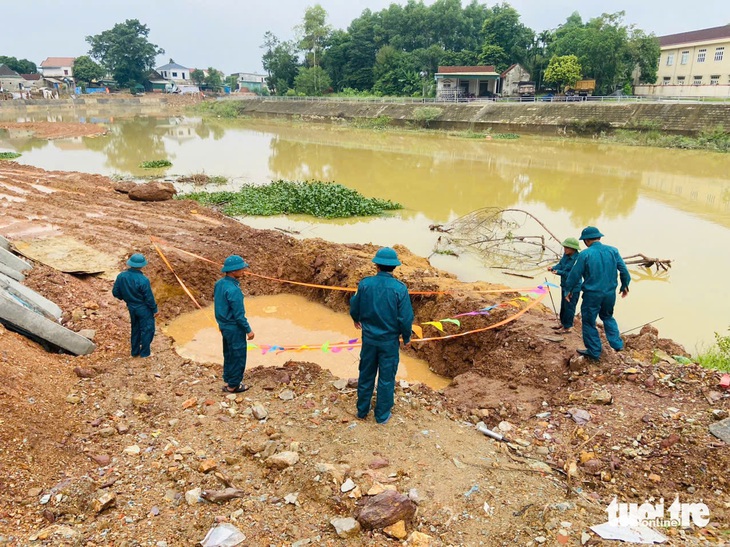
(597, 267)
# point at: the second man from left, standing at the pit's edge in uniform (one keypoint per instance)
(230, 314)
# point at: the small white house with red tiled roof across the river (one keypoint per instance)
(466, 82)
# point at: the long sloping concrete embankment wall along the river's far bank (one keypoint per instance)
(520, 117)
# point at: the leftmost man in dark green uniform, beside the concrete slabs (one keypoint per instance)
(134, 288)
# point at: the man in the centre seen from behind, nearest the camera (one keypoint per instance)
(382, 308)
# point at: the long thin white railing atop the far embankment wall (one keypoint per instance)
(484, 100)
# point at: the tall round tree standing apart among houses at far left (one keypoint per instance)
(125, 52)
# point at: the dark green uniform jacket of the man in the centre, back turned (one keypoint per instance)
(383, 307)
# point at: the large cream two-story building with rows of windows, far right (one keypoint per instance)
(693, 64)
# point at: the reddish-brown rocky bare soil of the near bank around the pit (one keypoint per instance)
(105, 449)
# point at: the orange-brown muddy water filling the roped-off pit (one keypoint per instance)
(285, 319)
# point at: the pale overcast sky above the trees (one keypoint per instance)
(226, 34)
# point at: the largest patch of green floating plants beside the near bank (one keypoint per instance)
(315, 198)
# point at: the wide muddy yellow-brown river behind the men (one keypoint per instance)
(672, 204)
